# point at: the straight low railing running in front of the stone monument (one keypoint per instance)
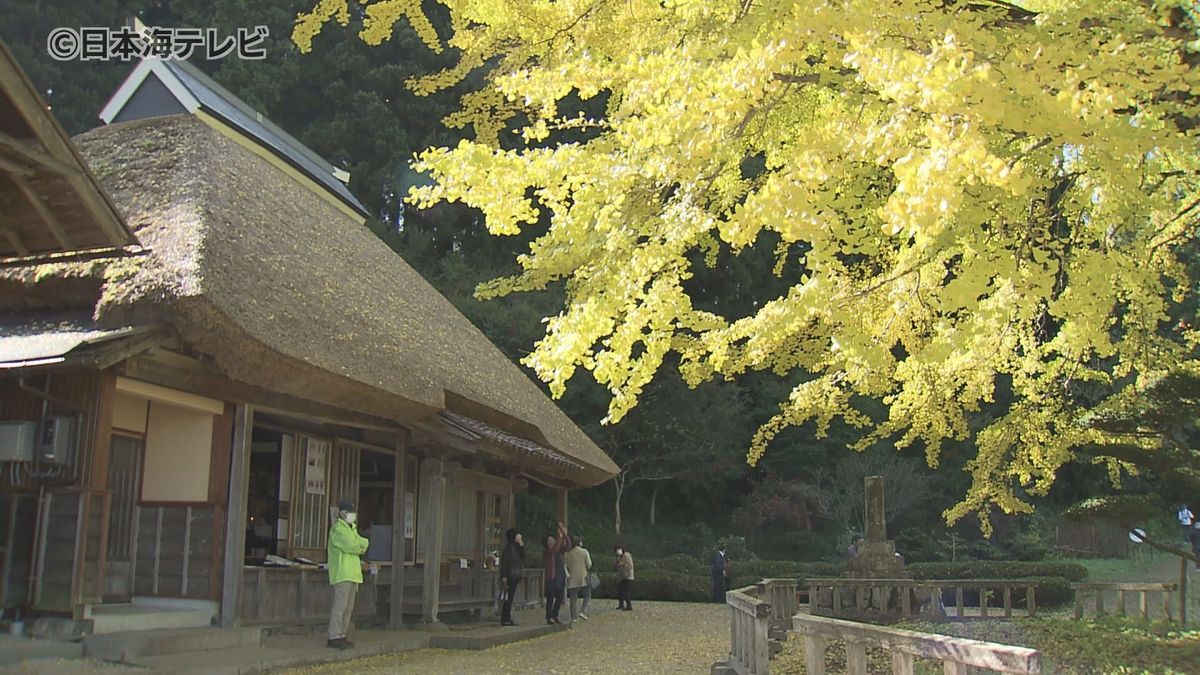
(875, 595)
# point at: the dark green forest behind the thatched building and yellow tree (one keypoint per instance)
(685, 481)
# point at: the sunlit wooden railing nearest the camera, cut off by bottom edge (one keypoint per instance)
(956, 654)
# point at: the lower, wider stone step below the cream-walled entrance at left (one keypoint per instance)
(136, 644)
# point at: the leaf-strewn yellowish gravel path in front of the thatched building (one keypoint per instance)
(653, 638)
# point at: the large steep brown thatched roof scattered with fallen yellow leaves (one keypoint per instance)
(284, 291)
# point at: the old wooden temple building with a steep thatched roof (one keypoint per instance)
(203, 349)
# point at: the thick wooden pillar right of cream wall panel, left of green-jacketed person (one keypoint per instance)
(236, 516)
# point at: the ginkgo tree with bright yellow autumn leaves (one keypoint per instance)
(973, 200)
